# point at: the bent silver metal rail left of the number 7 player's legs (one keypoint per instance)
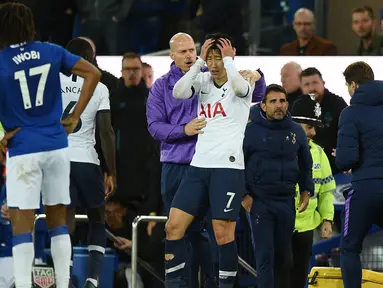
(135, 224)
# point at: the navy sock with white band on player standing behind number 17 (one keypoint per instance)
(96, 248)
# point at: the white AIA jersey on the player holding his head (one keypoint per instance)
(220, 146)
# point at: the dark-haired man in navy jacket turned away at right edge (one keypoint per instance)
(360, 148)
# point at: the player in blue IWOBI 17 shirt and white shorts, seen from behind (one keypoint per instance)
(30, 98)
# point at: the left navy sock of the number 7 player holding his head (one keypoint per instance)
(176, 268)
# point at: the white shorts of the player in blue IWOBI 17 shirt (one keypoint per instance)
(29, 174)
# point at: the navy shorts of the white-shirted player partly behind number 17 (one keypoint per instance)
(87, 188)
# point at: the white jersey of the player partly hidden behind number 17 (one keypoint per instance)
(82, 140)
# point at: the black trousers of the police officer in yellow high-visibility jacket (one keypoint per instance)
(302, 247)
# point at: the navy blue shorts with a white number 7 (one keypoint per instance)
(220, 189)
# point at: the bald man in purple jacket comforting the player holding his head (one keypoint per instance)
(175, 124)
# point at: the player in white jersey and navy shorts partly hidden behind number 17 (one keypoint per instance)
(86, 180)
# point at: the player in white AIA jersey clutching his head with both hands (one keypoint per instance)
(216, 176)
